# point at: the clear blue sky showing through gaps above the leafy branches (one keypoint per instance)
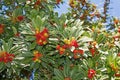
(113, 11)
